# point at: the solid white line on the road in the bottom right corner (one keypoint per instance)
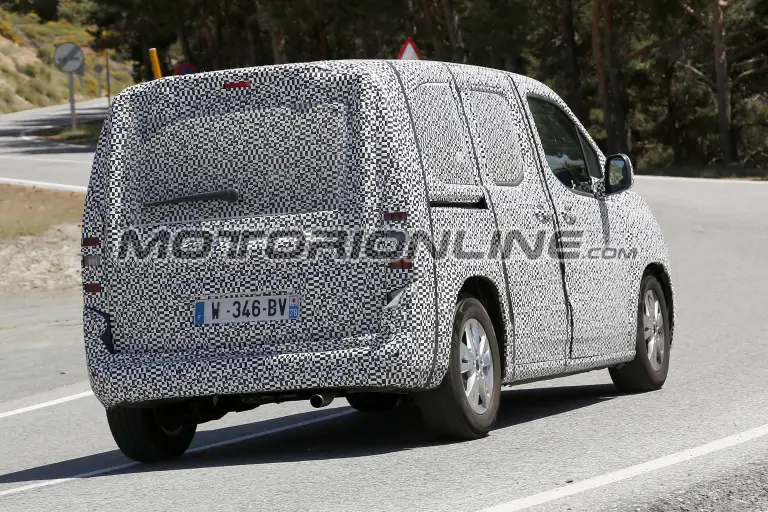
(631, 471)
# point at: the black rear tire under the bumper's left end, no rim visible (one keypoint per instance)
(150, 434)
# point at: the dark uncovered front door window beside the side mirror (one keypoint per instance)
(561, 143)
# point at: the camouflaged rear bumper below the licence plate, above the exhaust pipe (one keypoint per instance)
(126, 378)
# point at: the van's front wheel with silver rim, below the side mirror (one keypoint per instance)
(647, 373)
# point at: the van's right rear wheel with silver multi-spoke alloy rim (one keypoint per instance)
(450, 409)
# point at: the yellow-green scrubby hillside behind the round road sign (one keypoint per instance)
(28, 76)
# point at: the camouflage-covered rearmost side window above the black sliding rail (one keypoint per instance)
(442, 136)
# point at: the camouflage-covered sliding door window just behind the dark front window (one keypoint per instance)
(497, 138)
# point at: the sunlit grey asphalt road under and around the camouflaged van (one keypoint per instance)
(572, 443)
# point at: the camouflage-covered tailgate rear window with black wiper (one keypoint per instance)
(289, 159)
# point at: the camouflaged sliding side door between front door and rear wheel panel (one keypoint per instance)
(540, 332)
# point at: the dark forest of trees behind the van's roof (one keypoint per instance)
(660, 82)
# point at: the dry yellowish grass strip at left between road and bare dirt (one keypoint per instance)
(31, 211)
